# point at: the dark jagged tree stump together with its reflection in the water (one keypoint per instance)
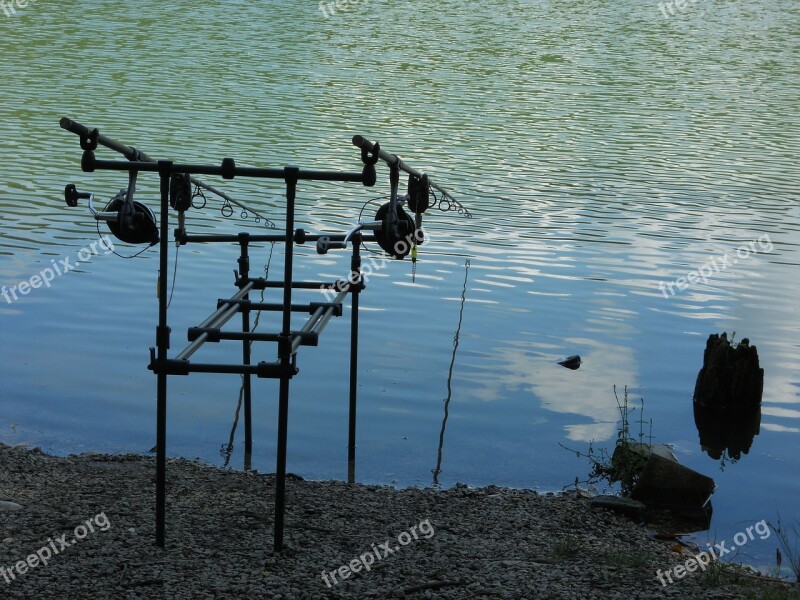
(727, 398)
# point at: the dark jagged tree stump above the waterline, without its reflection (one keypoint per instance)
(730, 377)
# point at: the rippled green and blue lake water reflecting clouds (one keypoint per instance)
(602, 148)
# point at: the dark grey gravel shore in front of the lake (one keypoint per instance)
(94, 515)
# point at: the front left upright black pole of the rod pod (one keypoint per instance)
(162, 341)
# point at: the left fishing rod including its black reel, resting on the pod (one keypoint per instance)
(136, 221)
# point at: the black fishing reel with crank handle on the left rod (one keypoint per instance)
(128, 220)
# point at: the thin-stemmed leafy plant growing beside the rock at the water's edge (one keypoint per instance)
(630, 452)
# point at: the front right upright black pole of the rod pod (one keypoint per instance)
(285, 352)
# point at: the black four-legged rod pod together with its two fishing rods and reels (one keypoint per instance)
(133, 222)
